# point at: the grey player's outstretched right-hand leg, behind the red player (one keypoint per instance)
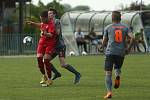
(68, 66)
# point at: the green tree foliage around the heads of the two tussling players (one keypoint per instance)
(35, 13)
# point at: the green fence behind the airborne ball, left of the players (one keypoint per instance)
(12, 44)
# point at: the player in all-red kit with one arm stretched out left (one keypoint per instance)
(46, 45)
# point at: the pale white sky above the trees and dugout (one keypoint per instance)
(97, 5)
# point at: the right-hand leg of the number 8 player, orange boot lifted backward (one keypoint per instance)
(117, 69)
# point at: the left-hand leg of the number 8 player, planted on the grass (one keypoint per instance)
(108, 76)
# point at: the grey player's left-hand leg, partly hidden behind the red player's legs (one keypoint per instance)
(54, 70)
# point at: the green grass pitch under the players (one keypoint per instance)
(19, 79)
